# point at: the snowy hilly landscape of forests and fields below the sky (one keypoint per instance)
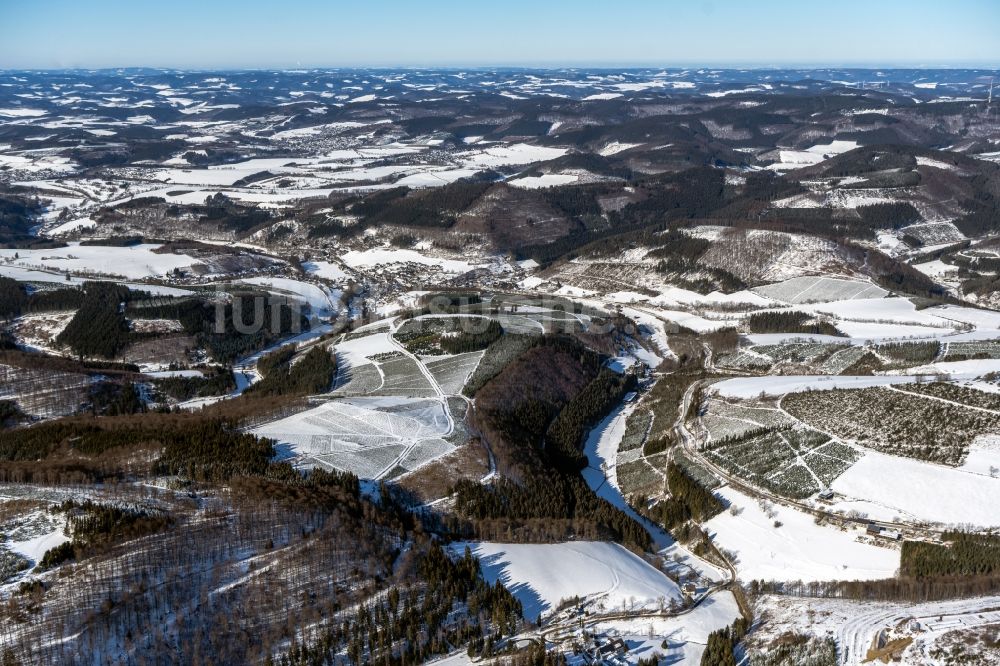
(502, 366)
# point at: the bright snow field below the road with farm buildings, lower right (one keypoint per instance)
(774, 542)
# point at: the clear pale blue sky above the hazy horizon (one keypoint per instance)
(312, 33)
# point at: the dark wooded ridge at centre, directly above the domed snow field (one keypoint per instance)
(535, 413)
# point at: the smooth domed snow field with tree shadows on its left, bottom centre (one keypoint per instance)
(541, 575)
